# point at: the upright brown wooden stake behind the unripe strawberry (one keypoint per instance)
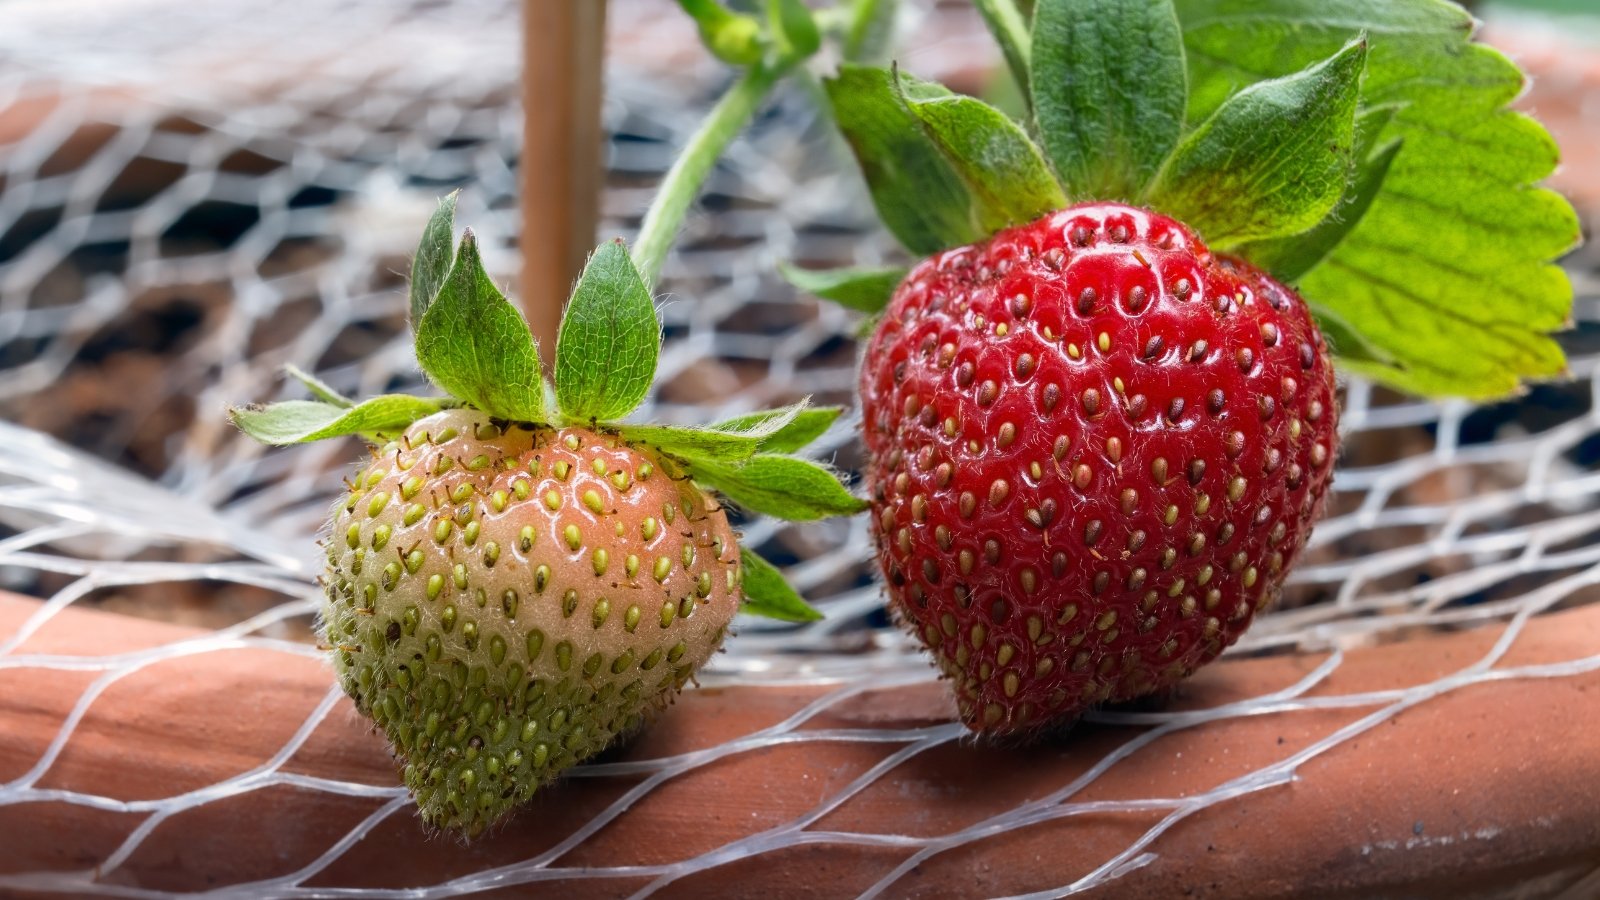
(564, 47)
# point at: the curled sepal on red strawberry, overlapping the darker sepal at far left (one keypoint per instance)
(1002, 169)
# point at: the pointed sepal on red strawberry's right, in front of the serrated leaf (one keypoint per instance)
(1273, 161)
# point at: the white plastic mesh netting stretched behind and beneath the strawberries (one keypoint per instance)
(198, 195)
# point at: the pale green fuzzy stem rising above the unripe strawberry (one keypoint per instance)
(694, 166)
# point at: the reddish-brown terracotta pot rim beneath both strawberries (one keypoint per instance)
(223, 763)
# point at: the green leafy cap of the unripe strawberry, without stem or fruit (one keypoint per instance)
(473, 344)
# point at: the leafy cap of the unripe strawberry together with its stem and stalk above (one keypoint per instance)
(474, 344)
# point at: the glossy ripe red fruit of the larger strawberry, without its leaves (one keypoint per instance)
(1095, 452)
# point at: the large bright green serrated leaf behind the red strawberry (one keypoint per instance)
(1450, 268)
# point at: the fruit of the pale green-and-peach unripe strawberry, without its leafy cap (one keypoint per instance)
(505, 601)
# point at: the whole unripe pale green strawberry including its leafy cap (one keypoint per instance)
(514, 585)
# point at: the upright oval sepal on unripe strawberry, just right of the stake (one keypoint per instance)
(610, 339)
